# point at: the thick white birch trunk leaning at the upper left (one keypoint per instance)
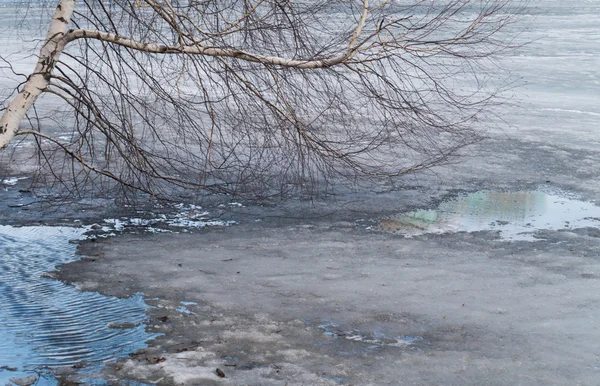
(38, 81)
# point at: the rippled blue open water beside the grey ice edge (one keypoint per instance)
(45, 323)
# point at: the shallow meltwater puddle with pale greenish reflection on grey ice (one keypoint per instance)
(515, 215)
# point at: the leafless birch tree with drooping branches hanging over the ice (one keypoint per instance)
(215, 93)
